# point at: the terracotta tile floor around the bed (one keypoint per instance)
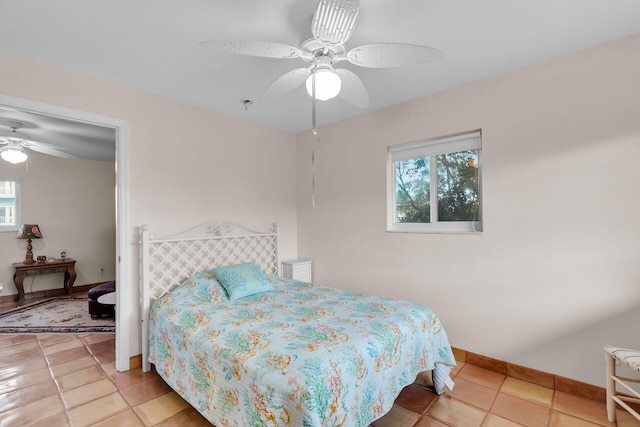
(70, 380)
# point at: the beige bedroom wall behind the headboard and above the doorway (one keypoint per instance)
(186, 165)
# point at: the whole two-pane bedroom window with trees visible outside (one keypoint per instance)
(435, 185)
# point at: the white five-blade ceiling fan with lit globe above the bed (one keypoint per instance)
(331, 27)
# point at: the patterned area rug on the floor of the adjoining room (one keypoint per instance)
(56, 315)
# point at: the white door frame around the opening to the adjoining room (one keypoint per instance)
(123, 335)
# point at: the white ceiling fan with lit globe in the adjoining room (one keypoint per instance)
(13, 144)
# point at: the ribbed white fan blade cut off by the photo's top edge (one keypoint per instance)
(334, 21)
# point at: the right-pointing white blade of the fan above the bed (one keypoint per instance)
(387, 55)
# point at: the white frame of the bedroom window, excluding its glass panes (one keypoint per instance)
(432, 148)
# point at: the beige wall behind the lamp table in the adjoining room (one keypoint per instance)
(73, 202)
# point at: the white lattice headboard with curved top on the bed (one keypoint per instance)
(168, 261)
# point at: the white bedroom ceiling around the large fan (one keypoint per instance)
(154, 45)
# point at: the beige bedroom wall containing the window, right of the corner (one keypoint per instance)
(556, 274)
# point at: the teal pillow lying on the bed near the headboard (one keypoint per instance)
(242, 280)
